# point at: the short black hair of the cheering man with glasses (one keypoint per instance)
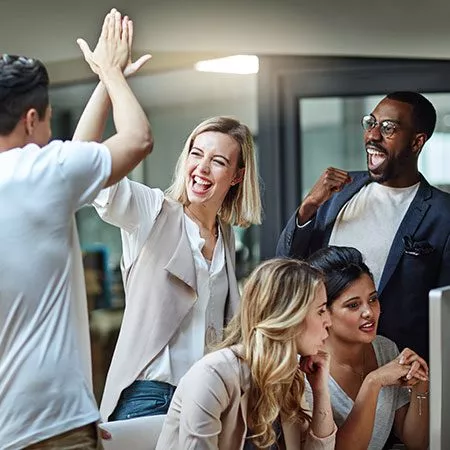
(424, 114)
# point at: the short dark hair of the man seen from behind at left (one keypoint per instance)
(23, 86)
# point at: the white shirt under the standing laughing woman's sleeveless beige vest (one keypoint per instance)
(134, 208)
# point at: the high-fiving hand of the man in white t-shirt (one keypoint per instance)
(112, 49)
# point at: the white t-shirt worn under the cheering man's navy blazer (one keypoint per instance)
(370, 220)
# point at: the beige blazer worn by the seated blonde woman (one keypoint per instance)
(209, 410)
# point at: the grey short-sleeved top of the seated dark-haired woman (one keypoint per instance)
(390, 398)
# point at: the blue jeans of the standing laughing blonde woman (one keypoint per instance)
(143, 398)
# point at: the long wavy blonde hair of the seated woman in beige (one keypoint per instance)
(274, 303)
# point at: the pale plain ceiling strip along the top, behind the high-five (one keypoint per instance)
(48, 28)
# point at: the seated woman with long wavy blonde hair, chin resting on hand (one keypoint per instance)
(249, 394)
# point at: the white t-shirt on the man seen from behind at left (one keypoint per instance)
(44, 351)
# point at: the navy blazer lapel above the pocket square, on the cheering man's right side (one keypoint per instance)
(413, 217)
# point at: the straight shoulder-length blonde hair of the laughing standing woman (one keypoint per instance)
(242, 204)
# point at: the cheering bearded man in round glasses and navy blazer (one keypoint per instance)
(399, 222)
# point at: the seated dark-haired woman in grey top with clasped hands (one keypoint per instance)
(373, 387)
